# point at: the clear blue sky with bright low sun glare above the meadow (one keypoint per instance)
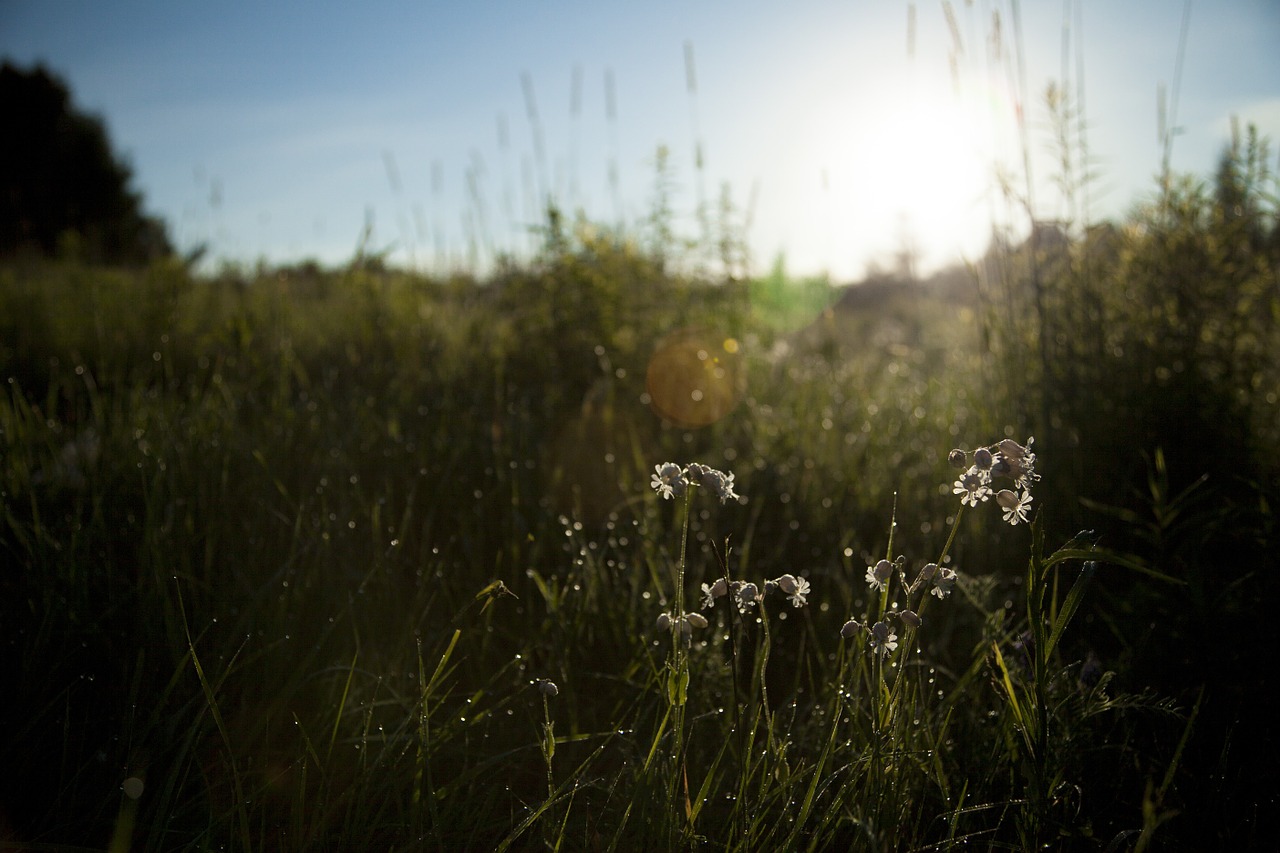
(844, 134)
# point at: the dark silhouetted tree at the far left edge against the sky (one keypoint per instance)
(62, 188)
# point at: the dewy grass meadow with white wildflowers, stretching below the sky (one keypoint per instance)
(609, 551)
